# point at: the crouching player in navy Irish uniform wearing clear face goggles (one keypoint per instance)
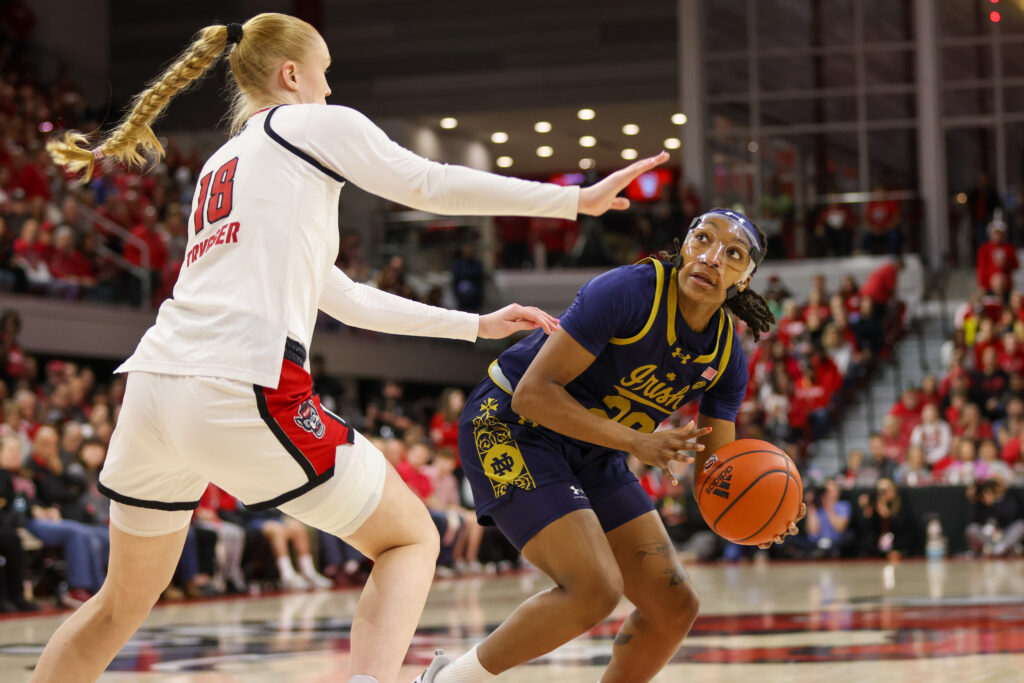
(544, 442)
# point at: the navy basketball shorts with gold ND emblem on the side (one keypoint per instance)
(526, 477)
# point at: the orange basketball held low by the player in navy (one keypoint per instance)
(749, 492)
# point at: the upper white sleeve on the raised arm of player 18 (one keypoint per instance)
(352, 145)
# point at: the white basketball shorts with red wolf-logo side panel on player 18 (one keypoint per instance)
(267, 448)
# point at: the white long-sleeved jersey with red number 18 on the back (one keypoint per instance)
(264, 238)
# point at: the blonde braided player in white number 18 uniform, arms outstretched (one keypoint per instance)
(219, 389)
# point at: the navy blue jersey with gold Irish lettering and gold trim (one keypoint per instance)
(648, 363)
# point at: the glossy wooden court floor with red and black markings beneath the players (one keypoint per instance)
(956, 621)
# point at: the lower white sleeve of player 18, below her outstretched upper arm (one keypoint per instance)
(363, 307)
